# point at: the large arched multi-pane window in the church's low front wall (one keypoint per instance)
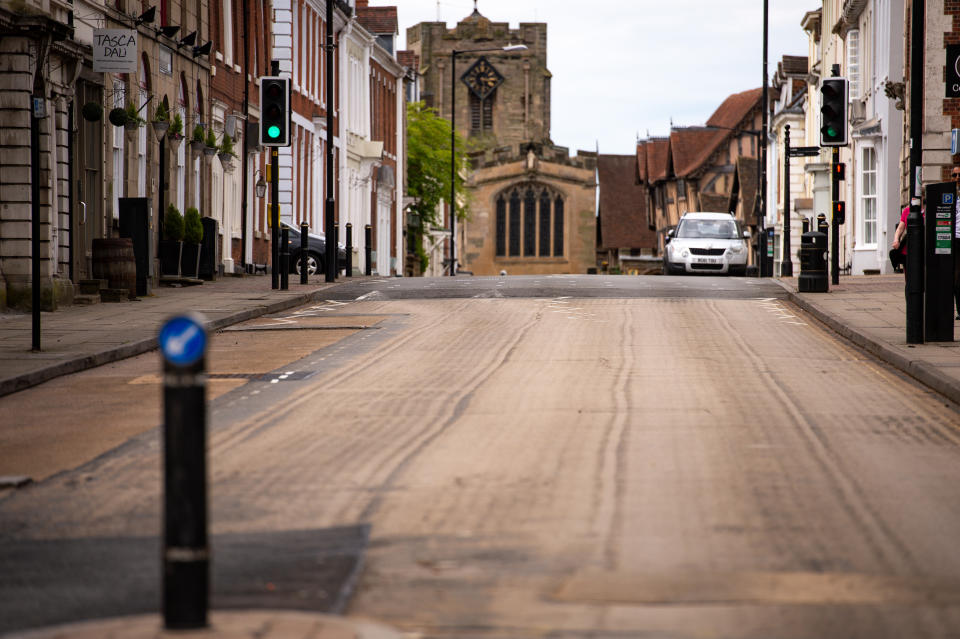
(528, 217)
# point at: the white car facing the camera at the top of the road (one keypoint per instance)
(706, 243)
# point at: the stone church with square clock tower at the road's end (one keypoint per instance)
(531, 207)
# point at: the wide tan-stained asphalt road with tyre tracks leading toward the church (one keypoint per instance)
(563, 457)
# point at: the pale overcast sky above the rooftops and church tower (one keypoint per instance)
(623, 68)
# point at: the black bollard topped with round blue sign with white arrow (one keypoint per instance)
(186, 556)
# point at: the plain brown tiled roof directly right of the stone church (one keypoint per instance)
(623, 204)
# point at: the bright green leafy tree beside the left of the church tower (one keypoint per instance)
(428, 161)
